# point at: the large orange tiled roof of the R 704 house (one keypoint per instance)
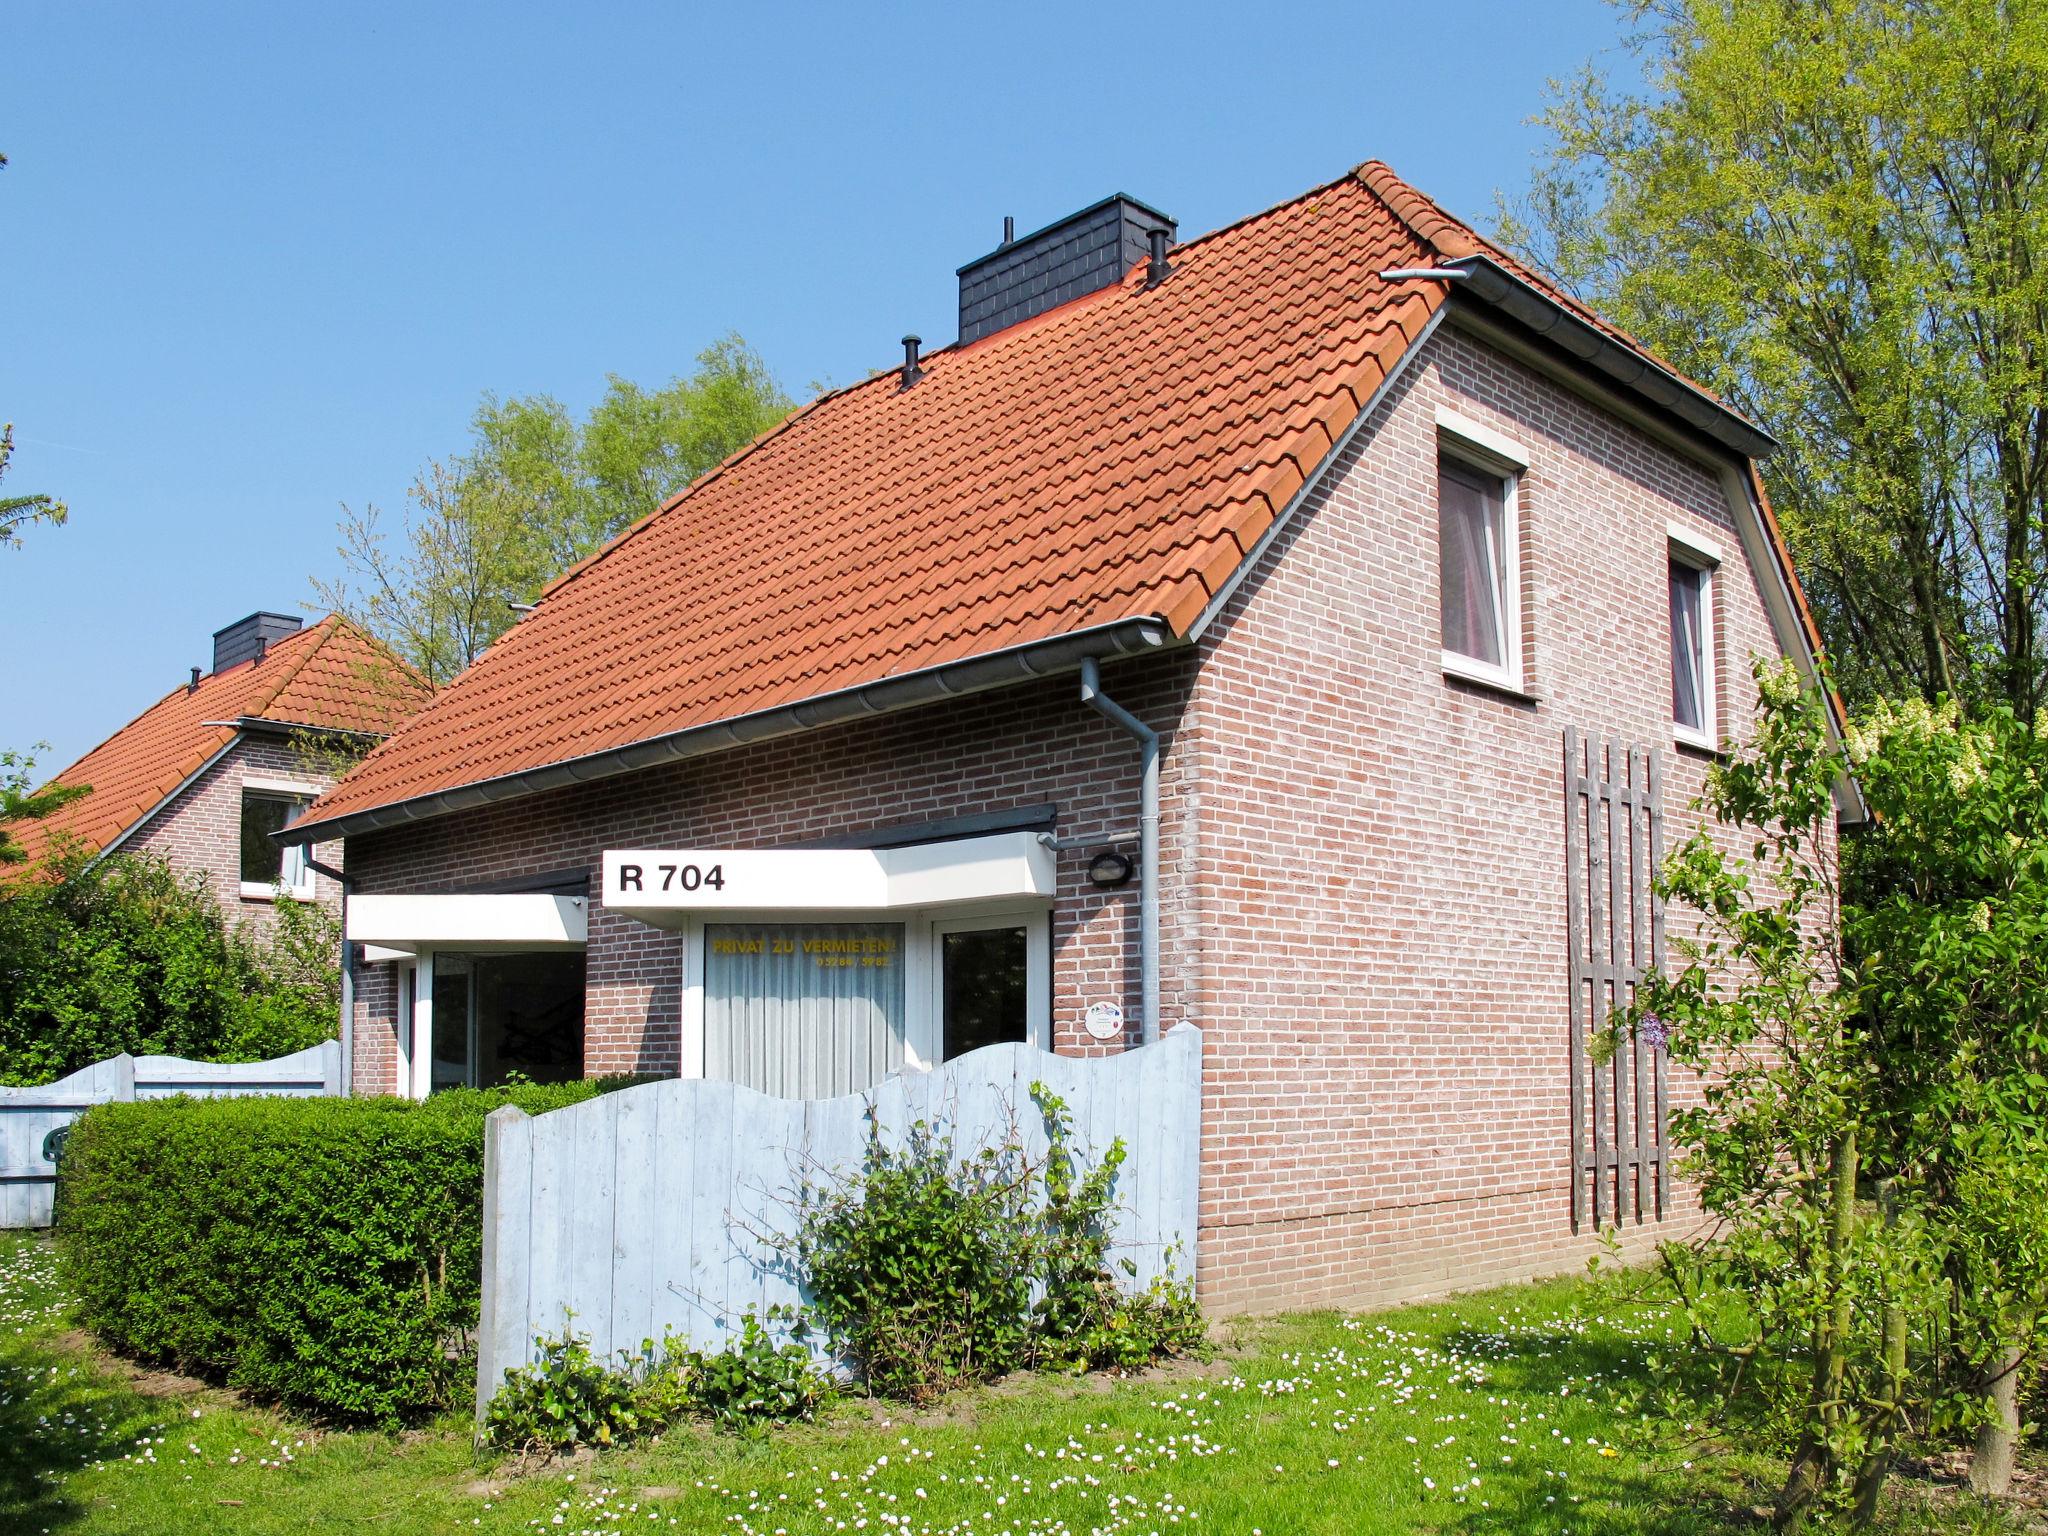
(1089, 478)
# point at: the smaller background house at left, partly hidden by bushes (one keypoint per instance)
(208, 773)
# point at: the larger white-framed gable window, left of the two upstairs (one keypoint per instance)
(1480, 552)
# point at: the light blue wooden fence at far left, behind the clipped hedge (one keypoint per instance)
(34, 1119)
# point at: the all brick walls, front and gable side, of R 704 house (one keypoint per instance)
(1363, 861)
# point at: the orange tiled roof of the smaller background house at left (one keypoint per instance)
(329, 677)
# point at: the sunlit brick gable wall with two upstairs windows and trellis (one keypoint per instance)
(1381, 863)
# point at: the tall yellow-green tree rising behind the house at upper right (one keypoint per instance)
(1838, 218)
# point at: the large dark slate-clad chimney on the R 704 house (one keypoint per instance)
(1078, 255)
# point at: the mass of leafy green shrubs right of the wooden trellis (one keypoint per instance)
(1873, 1129)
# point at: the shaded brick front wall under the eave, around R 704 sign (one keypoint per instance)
(996, 753)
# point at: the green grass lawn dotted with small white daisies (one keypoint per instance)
(1502, 1412)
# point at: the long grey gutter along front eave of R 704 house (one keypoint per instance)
(882, 697)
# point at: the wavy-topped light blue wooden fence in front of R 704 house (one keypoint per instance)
(656, 1209)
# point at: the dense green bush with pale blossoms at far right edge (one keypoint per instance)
(1949, 925)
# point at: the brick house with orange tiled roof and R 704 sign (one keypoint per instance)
(835, 765)
